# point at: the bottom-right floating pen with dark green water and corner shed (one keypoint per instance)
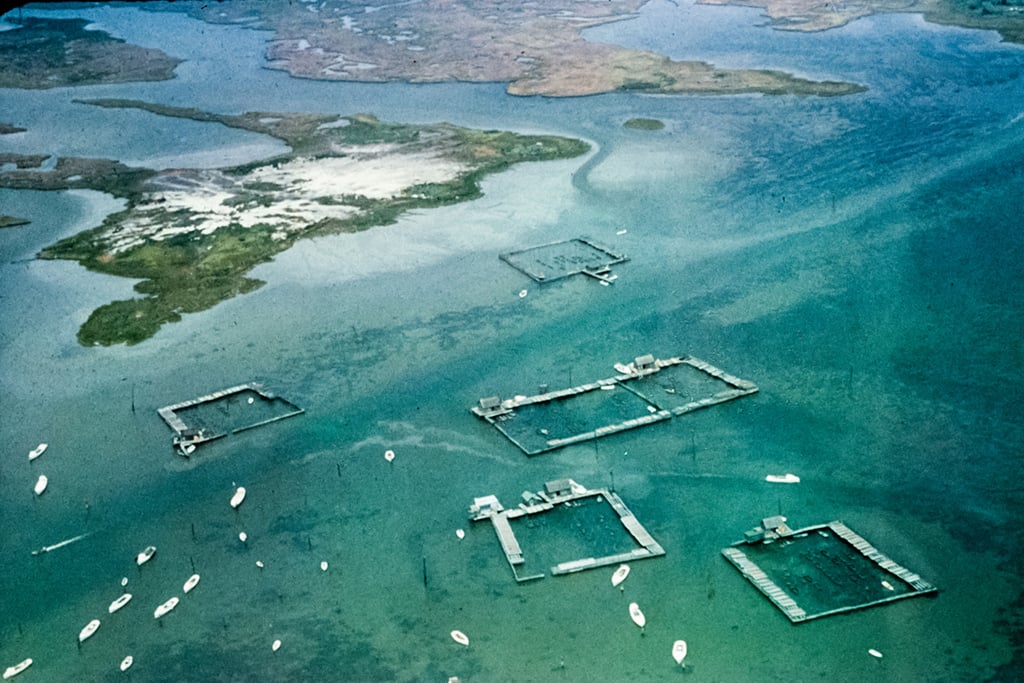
(821, 571)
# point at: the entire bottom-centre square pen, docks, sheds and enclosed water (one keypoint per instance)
(586, 529)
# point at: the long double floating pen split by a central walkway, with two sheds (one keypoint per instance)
(530, 424)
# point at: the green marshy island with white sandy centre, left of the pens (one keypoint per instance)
(187, 262)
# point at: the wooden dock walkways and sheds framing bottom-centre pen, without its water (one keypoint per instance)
(562, 492)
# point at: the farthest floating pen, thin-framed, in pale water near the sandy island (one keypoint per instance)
(556, 261)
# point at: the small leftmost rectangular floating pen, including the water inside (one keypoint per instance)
(211, 417)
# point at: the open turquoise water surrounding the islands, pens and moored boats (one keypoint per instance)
(857, 259)
